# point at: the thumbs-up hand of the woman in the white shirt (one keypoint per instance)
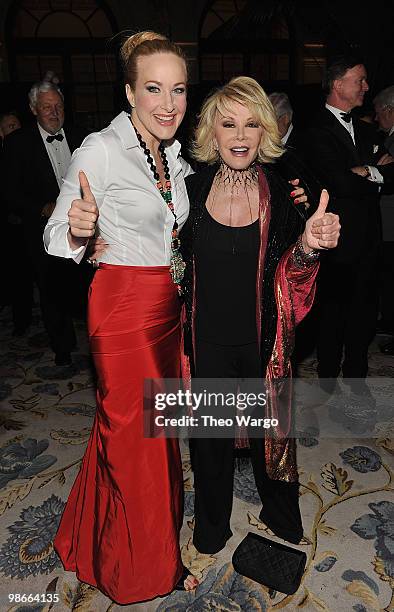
(83, 213)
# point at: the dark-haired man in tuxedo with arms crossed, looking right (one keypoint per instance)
(341, 151)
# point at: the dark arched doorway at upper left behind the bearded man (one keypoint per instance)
(70, 38)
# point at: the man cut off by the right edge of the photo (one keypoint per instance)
(384, 113)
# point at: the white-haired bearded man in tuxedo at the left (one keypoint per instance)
(35, 161)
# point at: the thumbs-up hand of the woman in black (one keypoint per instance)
(322, 229)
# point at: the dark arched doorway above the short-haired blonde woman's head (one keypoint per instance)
(278, 42)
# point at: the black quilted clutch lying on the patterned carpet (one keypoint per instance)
(277, 566)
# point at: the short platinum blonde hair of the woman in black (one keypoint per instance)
(249, 93)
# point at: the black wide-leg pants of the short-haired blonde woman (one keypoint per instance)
(213, 462)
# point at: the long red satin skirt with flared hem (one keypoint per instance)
(120, 527)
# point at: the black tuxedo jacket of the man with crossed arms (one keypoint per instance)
(329, 151)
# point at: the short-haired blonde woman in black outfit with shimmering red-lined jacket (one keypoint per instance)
(251, 278)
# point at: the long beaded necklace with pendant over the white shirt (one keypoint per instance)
(177, 265)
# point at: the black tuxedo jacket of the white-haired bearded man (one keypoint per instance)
(28, 179)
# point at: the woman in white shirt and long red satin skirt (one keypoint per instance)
(120, 528)
